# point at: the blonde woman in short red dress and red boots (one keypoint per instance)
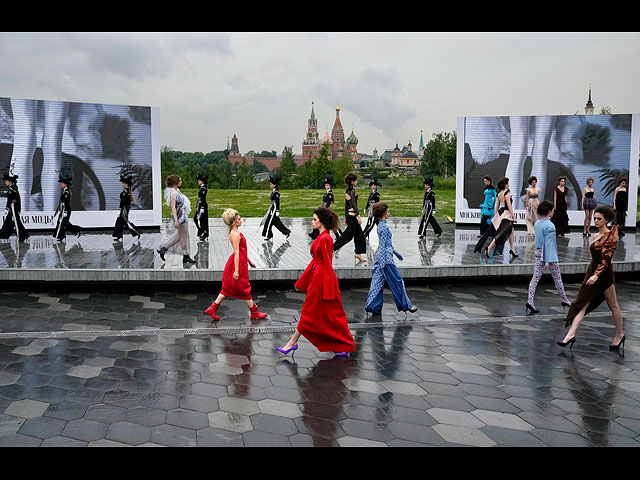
(235, 277)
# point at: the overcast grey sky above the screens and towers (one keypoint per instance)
(259, 86)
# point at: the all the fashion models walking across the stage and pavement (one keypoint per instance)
(323, 320)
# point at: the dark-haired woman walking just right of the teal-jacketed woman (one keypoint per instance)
(501, 227)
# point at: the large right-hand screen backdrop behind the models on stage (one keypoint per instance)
(604, 147)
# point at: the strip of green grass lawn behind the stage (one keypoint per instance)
(402, 202)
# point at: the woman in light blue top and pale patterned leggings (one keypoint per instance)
(546, 255)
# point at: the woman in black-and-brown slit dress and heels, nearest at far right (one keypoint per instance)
(599, 281)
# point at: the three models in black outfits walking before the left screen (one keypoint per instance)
(13, 223)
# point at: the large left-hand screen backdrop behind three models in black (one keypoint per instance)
(94, 142)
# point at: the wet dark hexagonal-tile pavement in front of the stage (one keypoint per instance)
(112, 368)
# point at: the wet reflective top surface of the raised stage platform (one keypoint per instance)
(454, 247)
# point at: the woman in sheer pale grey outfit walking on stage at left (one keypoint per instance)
(180, 209)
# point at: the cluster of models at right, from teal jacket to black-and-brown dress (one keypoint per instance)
(545, 221)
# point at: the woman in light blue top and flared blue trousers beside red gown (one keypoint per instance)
(384, 268)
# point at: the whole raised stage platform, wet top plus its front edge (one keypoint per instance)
(94, 257)
